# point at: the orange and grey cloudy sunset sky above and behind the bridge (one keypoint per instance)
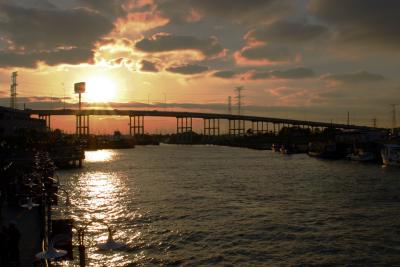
(301, 59)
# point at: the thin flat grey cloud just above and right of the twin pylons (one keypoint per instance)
(295, 73)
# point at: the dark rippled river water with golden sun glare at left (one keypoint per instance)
(210, 205)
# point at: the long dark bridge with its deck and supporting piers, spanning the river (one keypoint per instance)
(184, 121)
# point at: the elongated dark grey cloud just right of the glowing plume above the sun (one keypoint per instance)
(166, 43)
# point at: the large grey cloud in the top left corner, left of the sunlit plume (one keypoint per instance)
(45, 33)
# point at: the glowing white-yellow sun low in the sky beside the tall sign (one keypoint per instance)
(100, 89)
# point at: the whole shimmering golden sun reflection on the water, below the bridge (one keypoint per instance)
(100, 199)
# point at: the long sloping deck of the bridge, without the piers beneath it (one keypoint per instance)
(179, 114)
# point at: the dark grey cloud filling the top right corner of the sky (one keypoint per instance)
(360, 21)
